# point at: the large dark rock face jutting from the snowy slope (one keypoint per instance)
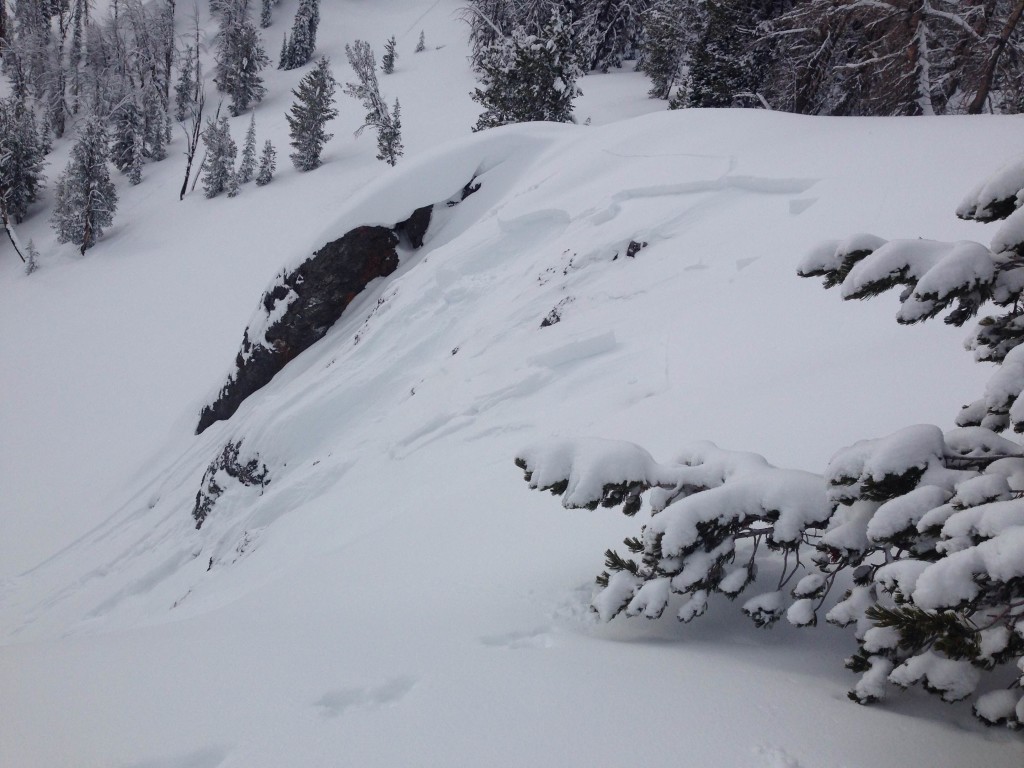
(317, 293)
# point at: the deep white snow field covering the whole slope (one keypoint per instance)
(397, 596)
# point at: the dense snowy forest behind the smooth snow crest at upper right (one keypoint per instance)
(809, 57)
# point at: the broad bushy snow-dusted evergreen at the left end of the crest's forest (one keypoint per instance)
(527, 77)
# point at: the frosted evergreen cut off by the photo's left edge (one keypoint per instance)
(23, 152)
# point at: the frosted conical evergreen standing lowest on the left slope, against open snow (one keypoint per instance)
(87, 199)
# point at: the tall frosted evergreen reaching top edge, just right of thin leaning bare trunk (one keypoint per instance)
(240, 58)
